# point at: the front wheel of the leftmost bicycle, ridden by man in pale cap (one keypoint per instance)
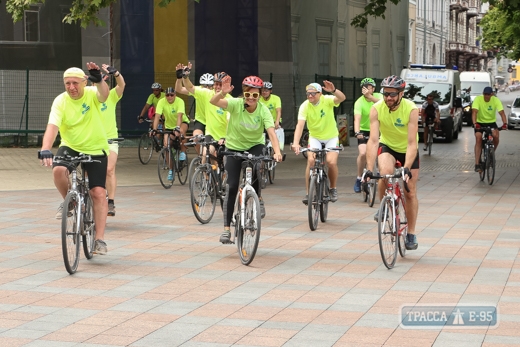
(70, 232)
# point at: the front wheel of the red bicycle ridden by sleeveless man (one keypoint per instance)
(386, 232)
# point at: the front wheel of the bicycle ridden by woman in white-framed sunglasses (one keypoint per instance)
(248, 234)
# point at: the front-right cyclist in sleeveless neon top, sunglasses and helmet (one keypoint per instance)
(396, 119)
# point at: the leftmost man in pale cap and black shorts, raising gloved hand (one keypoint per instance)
(74, 113)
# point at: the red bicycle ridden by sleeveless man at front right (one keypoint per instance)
(392, 225)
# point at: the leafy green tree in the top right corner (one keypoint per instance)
(501, 29)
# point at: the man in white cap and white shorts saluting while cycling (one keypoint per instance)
(318, 112)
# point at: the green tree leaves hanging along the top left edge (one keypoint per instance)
(82, 11)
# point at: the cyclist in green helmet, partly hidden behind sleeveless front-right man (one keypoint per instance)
(362, 124)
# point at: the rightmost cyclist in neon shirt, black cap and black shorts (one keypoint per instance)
(484, 109)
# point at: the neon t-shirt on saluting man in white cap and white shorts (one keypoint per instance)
(320, 118)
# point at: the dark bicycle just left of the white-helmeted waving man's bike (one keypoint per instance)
(169, 162)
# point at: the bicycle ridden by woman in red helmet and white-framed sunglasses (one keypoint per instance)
(246, 216)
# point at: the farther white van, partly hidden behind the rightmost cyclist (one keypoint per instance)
(472, 84)
